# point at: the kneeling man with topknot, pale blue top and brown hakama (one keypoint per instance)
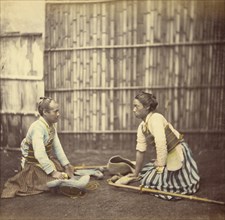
(39, 164)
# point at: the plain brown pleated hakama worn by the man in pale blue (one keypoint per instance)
(30, 180)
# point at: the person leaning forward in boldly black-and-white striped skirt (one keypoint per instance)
(174, 169)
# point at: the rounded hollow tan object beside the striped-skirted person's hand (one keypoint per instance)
(120, 165)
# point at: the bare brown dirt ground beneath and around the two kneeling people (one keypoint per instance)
(110, 203)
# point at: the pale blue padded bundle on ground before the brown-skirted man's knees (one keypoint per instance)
(73, 182)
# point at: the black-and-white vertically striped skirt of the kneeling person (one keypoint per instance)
(183, 181)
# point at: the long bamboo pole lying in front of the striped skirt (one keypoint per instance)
(142, 189)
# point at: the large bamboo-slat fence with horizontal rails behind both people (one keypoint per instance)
(99, 54)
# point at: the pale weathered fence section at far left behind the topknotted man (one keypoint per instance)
(21, 85)
